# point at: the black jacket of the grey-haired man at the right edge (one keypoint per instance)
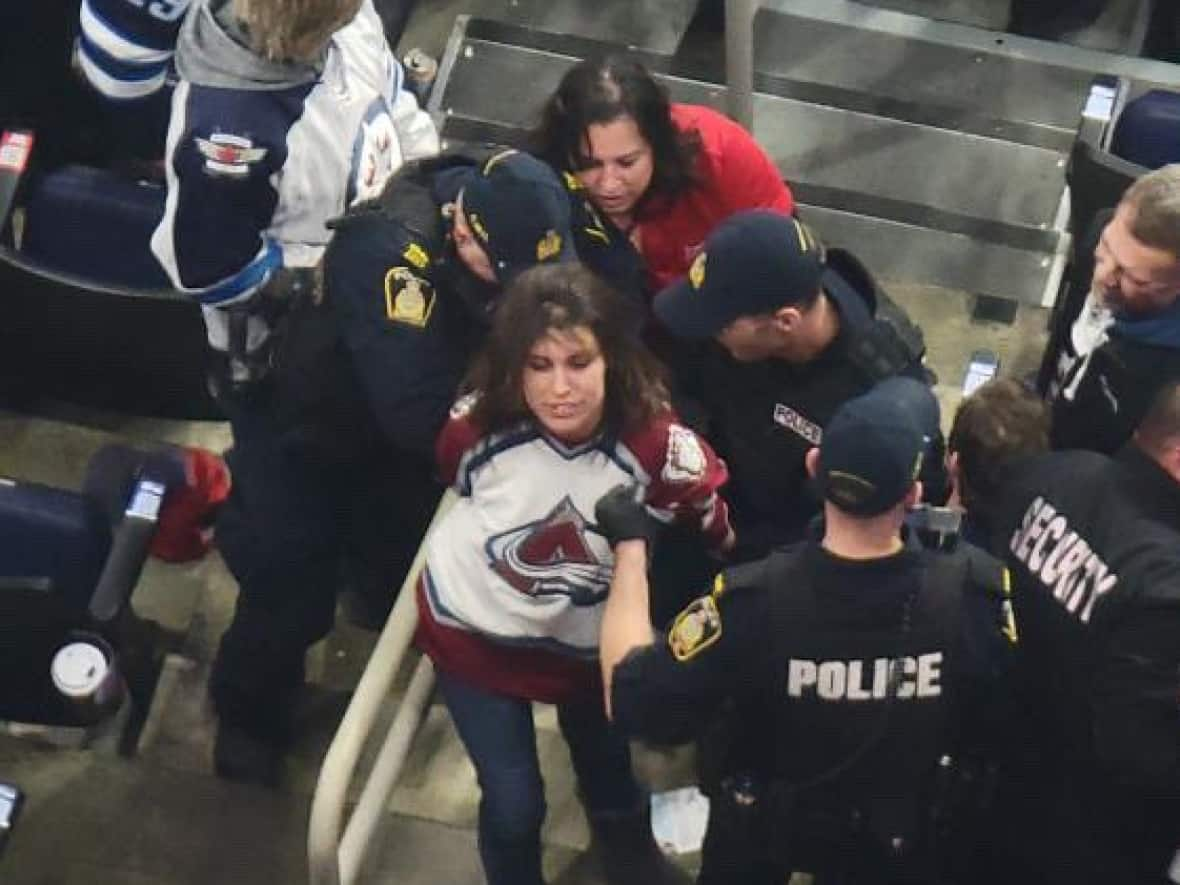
(1098, 398)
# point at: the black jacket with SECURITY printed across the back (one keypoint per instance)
(1097, 591)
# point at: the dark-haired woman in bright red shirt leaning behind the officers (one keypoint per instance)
(664, 174)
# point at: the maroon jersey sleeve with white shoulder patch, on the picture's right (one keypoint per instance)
(685, 477)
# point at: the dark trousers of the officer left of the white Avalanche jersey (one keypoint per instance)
(307, 509)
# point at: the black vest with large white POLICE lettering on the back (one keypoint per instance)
(864, 716)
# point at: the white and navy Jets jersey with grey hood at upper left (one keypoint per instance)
(261, 155)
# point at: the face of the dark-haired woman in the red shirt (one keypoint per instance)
(621, 166)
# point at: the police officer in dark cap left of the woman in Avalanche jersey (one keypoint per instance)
(333, 478)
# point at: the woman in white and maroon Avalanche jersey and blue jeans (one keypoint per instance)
(566, 405)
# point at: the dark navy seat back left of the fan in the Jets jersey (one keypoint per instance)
(97, 225)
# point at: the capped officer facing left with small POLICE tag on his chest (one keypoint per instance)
(797, 330)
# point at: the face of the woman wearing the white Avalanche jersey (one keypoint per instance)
(565, 384)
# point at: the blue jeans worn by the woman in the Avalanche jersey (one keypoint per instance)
(500, 737)
